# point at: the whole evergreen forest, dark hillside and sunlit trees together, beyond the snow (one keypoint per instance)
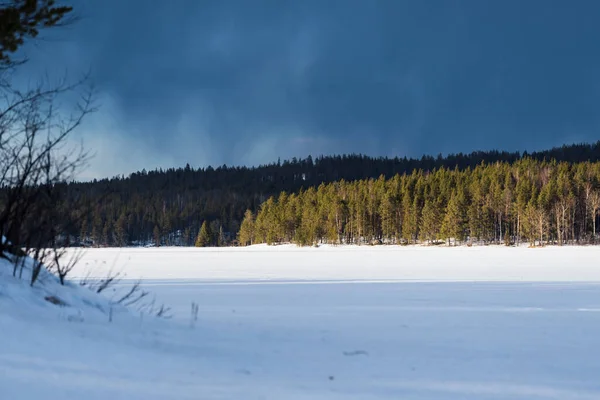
(337, 198)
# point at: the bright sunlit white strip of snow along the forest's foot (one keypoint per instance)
(350, 263)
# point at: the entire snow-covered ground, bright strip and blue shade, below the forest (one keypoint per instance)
(327, 323)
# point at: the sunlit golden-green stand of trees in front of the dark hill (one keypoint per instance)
(528, 200)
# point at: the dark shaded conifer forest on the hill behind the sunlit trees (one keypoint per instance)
(168, 207)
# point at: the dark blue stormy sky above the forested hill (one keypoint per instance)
(246, 82)
